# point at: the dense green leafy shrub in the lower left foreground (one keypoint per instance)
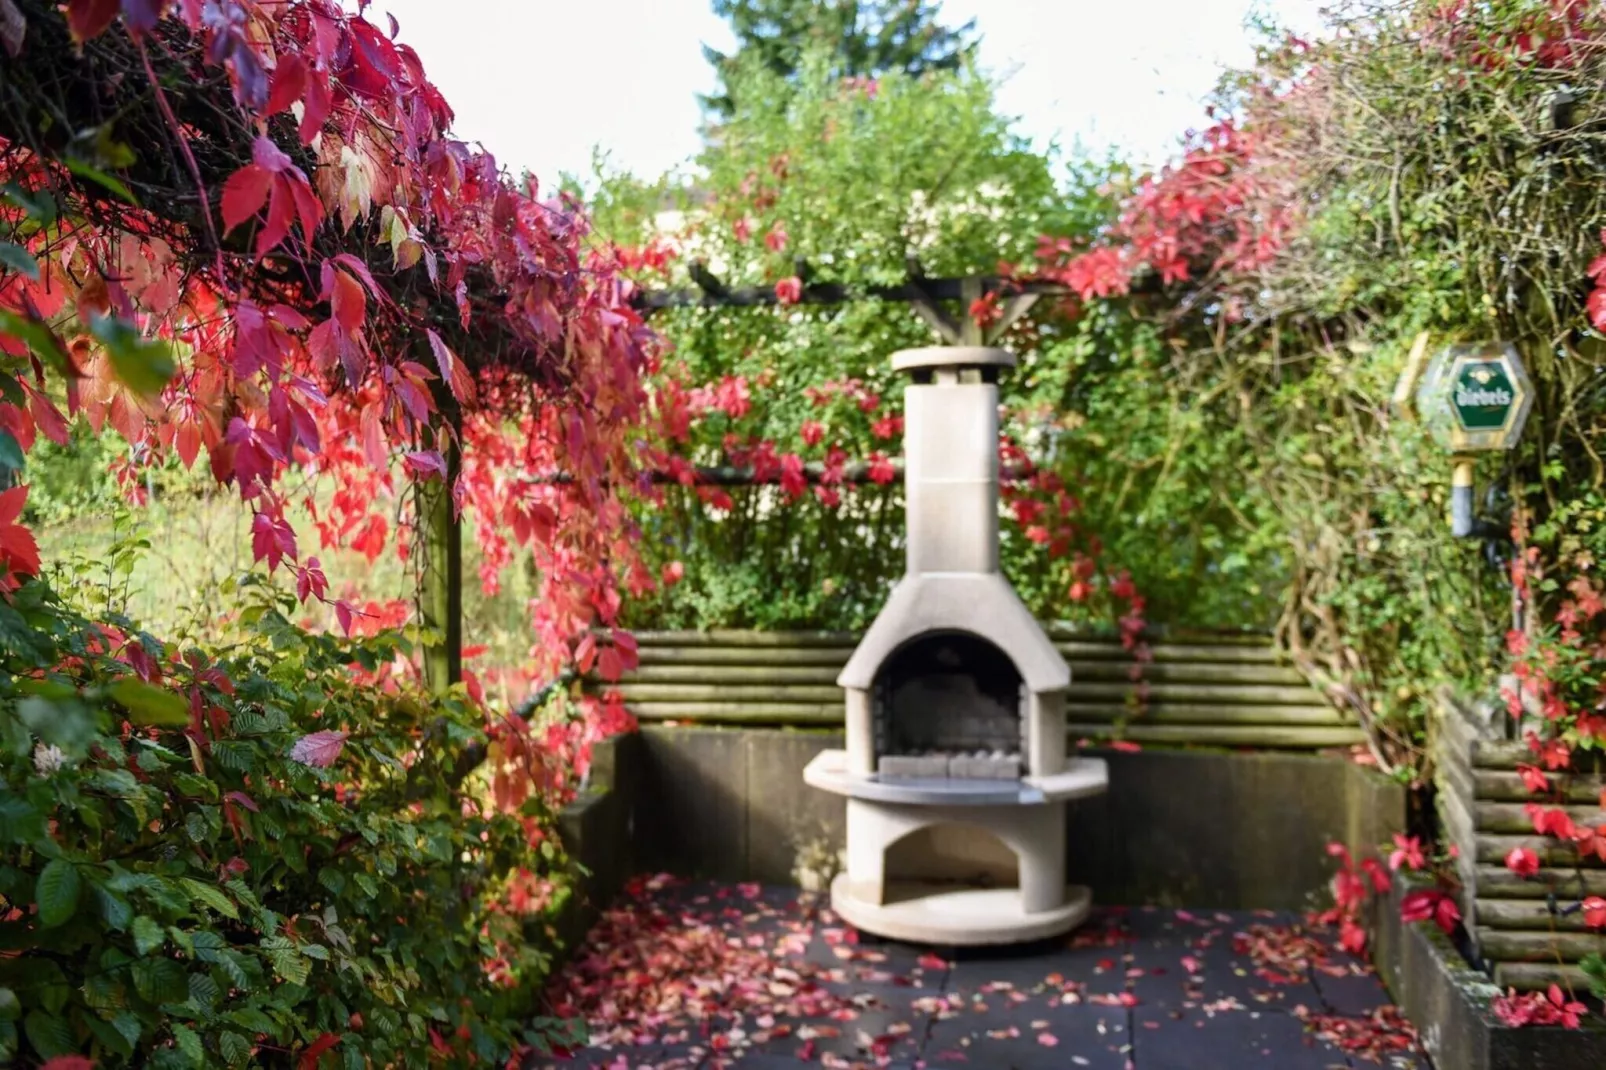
(251, 856)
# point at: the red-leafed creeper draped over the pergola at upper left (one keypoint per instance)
(373, 296)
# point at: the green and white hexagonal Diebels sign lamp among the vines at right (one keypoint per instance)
(1477, 398)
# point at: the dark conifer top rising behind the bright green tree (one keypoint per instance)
(863, 39)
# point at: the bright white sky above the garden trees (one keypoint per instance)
(542, 83)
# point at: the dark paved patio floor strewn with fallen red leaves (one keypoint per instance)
(709, 976)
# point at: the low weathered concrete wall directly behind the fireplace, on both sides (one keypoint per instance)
(1205, 830)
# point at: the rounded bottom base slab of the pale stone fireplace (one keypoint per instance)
(955, 917)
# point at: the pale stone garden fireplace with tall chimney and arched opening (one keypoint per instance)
(955, 767)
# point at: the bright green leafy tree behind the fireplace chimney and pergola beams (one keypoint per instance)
(857, 182)
